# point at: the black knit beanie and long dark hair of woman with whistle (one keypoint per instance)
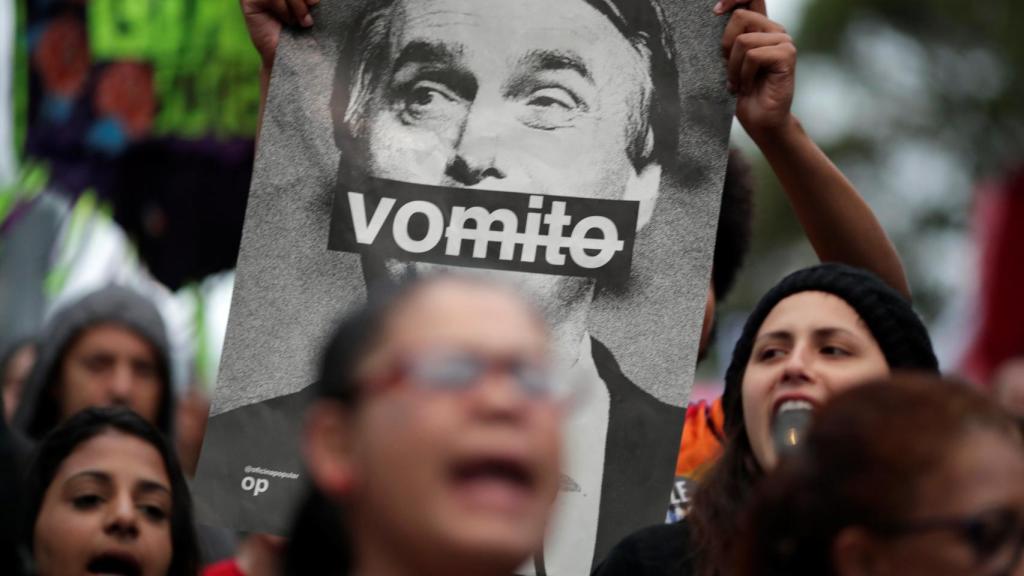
(726, 491)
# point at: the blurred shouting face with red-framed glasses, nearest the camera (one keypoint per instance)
(449, 476)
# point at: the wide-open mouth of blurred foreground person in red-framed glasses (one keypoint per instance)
(494, 482)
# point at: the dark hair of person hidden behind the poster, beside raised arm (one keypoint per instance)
(733, 241)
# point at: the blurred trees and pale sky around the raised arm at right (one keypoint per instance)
(919, 103)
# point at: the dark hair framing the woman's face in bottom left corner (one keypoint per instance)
(63, 441)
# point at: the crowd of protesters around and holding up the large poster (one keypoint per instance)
(434, 440)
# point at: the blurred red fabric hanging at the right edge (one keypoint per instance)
(1000, 225)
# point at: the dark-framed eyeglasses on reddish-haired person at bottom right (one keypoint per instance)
(996, 537)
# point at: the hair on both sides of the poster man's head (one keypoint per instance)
(365, 58)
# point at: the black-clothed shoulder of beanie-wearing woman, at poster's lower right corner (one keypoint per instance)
(656, 551)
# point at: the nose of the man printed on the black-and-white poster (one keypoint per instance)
(477, 154)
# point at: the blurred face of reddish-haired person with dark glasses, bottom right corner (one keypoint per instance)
(968, 519)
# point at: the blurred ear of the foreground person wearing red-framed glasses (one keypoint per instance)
(327, 445)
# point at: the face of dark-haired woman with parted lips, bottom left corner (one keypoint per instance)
(107, 512)
